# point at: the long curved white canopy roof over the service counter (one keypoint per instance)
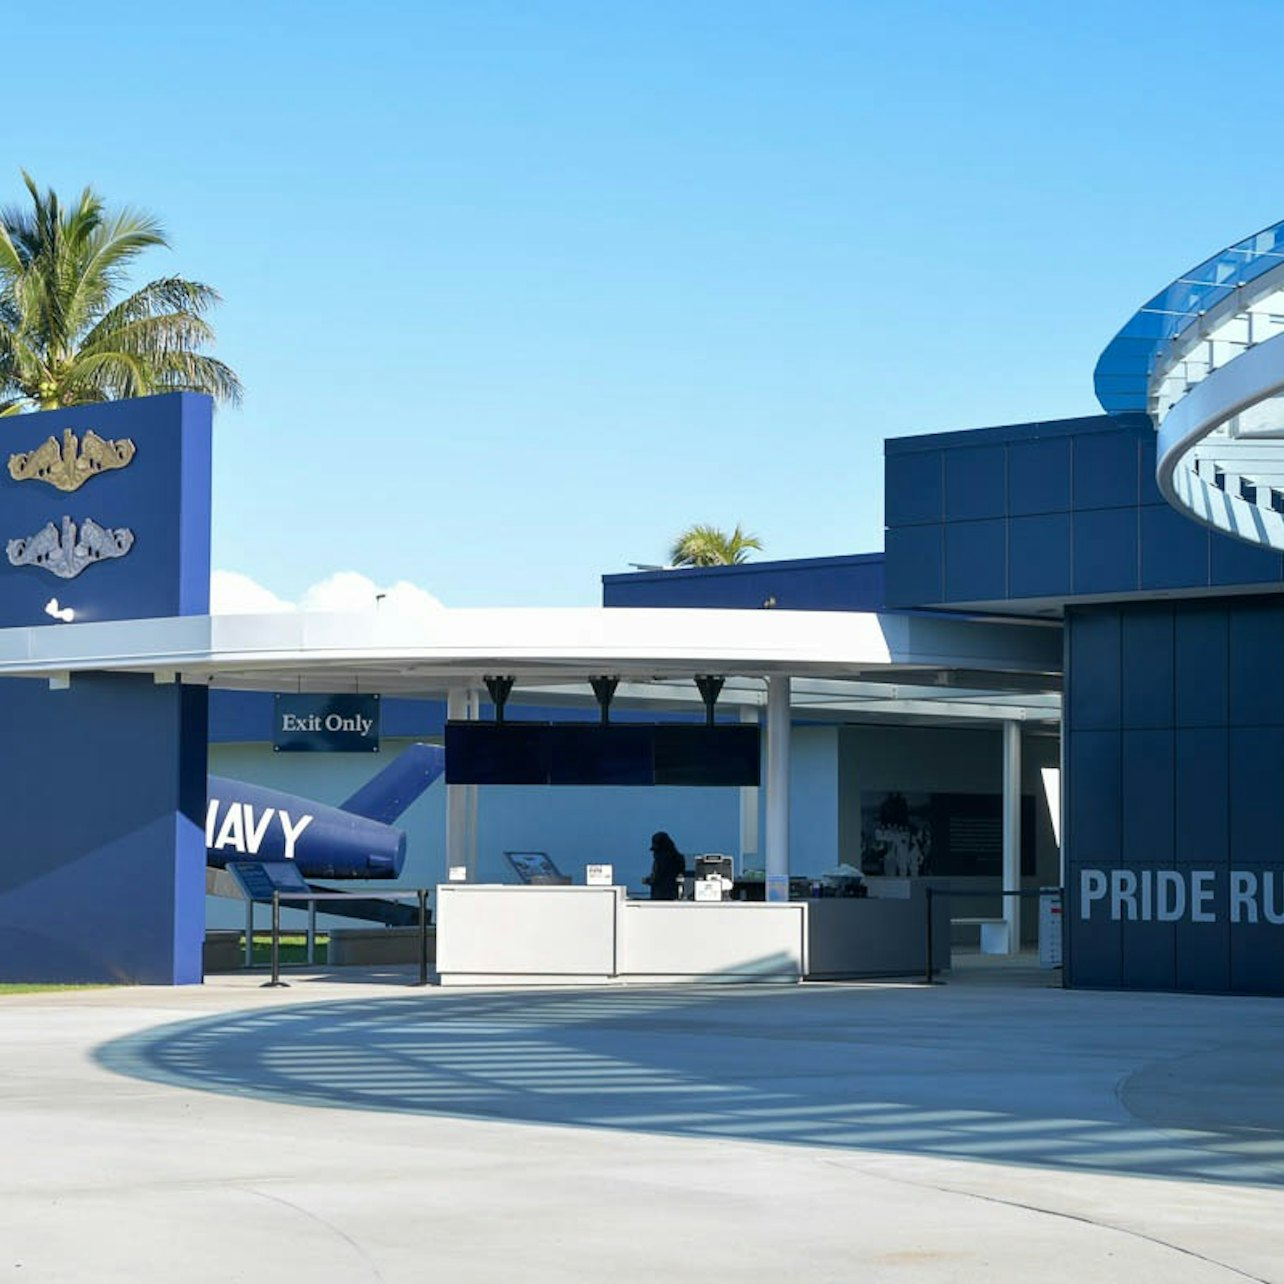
(1011, 668)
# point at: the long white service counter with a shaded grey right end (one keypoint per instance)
(507, 935)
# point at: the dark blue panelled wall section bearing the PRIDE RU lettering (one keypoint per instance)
(1174, 745)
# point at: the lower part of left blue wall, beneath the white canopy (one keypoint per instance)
(102, 848)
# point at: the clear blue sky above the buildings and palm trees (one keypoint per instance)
(519, 290)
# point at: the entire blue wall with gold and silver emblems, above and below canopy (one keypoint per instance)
(102, 795)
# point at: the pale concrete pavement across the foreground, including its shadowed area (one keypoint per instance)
(352, 1133)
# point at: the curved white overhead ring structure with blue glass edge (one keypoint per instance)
(1205, 360)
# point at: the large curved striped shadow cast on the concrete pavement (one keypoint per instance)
(1101, 1083)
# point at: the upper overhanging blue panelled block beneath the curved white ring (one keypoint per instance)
(1047, 512)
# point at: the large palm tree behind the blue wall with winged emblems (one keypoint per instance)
(67, 338)
